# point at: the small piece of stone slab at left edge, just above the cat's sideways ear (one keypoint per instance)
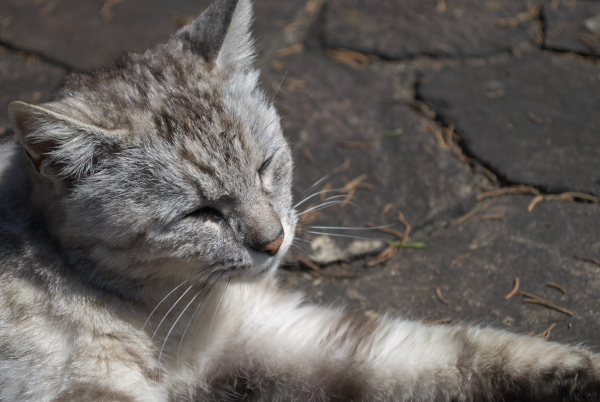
(24, 78)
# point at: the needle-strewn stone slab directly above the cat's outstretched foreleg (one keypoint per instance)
(475, 263)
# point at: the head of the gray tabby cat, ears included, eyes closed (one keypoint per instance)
(170, 163)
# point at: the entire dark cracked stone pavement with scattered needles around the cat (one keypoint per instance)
(468, 129)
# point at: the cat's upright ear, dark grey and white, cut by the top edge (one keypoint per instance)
(221, 34)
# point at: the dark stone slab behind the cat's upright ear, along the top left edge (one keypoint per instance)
(87, 34)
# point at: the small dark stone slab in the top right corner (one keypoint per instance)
(573, 28)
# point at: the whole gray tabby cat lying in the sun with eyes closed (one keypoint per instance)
(143, 215)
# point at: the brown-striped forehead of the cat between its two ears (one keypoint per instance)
(166, 94)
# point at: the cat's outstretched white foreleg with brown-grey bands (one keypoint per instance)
(278, 347)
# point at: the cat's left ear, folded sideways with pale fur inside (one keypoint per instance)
(59, 147)
